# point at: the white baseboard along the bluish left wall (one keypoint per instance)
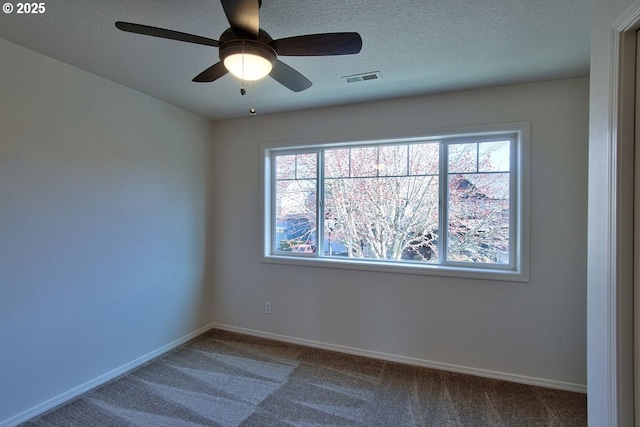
(76, 391)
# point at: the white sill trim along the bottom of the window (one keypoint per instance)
(398, 268)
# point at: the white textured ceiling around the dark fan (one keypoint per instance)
(419, 47)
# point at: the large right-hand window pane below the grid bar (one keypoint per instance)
(478, 208)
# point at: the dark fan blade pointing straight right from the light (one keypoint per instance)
(319, 44)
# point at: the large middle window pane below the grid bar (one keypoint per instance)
(393, 218)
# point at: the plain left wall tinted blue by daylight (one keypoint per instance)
(104, 199)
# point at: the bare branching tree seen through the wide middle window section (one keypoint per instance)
(385, 201)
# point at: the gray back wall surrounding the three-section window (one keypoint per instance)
(532, 331)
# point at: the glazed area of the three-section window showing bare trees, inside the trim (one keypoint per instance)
(419, 202)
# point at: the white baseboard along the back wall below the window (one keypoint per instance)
(541, 382)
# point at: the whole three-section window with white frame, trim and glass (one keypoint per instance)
(450, 204)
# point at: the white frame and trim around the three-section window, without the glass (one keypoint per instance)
(518, 270)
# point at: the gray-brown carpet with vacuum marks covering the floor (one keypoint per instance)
(228, 379)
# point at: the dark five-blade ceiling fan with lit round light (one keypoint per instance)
(250, 53)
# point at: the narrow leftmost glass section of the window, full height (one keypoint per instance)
(295, 203)
